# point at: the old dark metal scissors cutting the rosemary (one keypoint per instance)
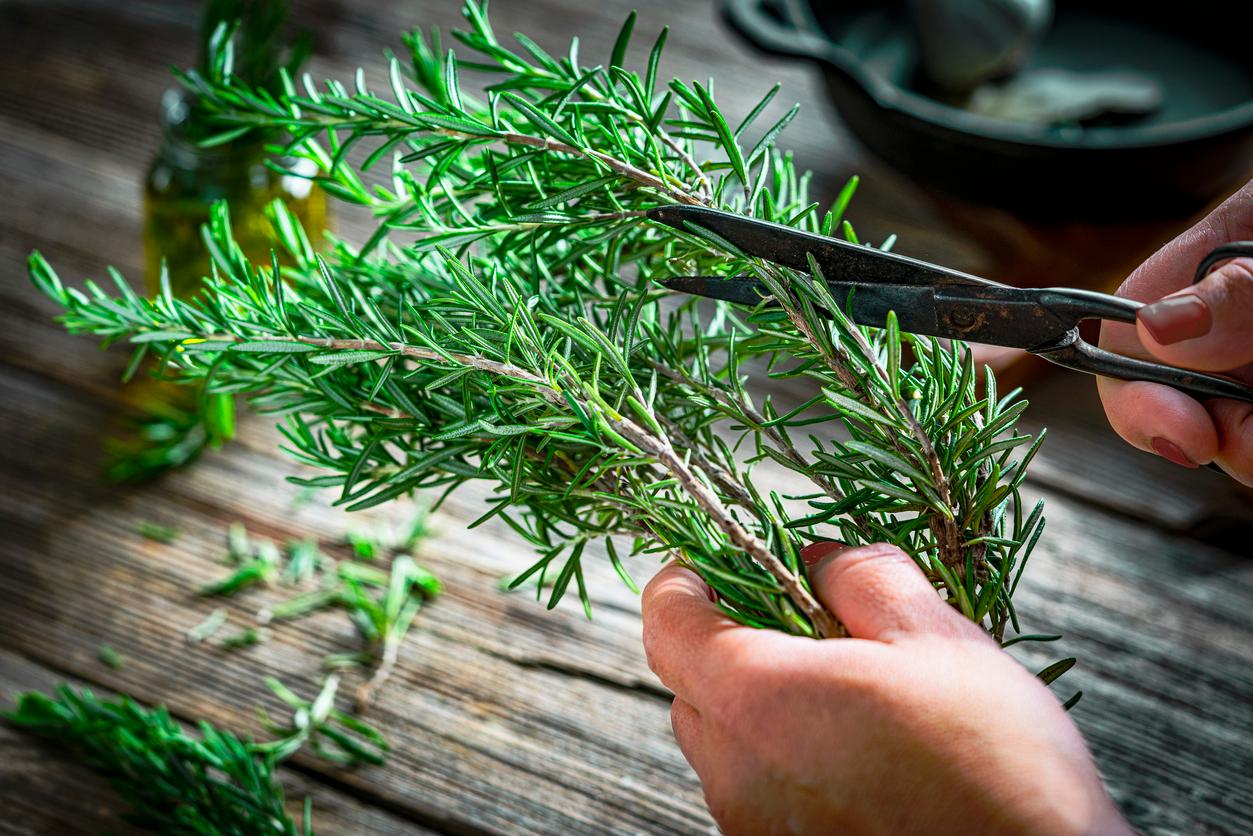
(944, 303)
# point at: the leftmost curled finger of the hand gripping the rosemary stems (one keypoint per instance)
(685, 632)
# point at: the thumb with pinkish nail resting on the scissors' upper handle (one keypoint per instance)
(1207, 327)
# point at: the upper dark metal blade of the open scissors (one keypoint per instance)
(839, 260)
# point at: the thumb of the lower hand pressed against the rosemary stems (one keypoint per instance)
(879, 593)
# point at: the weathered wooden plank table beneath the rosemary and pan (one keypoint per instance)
(506, 718)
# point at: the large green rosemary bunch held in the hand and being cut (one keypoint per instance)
(504, 323)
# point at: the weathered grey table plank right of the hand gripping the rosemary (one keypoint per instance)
(1161, 626)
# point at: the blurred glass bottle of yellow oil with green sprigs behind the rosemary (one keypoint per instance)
(187, 176)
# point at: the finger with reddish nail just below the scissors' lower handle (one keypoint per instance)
(1161, 421)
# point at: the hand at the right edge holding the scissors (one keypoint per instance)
(1207, 328)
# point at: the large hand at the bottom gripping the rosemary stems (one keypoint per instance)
(918, 724)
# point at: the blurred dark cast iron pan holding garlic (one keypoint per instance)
(1198, 146)
